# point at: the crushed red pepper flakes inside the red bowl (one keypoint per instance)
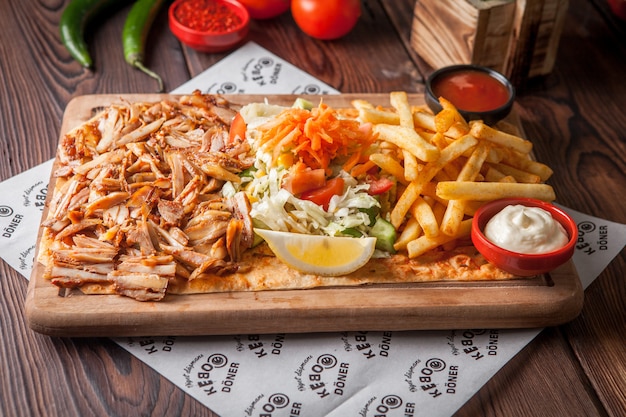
(207, 16)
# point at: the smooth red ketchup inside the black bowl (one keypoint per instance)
(471, 90)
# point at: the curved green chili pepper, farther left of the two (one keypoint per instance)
(74, 18)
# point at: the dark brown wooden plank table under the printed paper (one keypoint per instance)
(575, 116)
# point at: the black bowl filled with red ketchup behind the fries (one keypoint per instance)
(478, 93)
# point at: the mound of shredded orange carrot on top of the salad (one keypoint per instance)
(315, 137)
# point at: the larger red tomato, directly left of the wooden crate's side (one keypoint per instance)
(326, 19)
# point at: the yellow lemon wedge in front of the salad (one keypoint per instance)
(319, 255)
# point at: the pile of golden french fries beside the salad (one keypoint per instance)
(447, 168)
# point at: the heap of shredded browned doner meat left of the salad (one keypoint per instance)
(137, 201)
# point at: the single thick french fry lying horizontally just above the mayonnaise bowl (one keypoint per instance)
(485, 191)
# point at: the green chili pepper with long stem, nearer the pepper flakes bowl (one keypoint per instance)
(136, 29)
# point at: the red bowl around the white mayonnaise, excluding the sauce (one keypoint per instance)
(521, 264)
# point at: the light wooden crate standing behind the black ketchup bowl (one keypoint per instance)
(516, 37)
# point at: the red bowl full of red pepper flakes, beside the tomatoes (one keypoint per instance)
(209, 25)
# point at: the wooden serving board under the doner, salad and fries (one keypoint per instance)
(552, 299)
